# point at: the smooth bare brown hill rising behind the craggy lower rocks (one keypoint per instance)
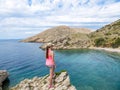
(55, 33)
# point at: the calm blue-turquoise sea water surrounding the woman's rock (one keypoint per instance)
(88, 69)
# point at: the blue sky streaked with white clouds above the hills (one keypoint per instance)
(20, 19)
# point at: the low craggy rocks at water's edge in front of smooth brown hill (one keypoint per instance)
(74, 41)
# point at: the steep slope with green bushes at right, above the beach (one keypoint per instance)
(107, 36)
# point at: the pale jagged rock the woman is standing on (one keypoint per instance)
(61, 82)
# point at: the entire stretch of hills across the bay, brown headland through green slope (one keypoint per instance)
(65, 37)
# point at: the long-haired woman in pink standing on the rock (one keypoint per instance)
(50, 63)
